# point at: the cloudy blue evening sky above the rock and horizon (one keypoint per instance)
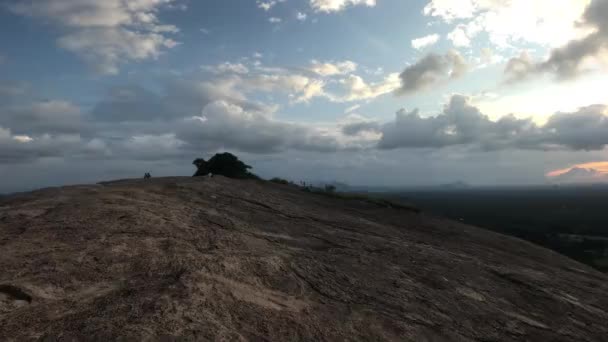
(365, 92)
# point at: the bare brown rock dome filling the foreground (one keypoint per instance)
(220, 259)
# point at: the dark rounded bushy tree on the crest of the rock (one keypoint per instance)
(225, 164)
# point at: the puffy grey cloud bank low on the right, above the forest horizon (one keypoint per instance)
(461, 123)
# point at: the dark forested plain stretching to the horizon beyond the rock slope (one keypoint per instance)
(570, 220)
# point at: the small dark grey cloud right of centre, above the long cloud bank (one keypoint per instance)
(430, 70)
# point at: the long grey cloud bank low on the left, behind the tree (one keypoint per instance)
(136, 124)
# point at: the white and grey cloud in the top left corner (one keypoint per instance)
(105, 34)
